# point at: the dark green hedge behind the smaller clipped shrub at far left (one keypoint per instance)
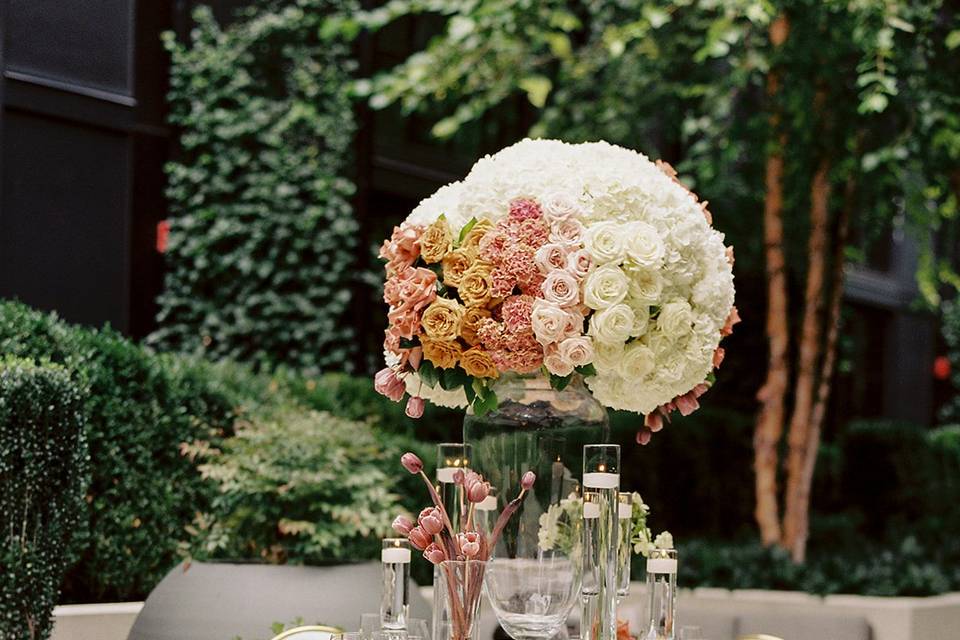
(139, 409)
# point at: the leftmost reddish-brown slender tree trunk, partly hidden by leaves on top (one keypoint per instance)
(769, 426)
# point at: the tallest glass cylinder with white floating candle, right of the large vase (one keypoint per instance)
(601, 476)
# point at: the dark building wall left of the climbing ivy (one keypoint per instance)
(82, 144)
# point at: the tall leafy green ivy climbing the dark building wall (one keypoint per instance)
(262, 236)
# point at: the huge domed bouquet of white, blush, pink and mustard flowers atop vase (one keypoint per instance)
(569, 259)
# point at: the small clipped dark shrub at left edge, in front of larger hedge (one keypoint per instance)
(43, 472)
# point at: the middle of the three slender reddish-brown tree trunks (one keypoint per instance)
(796, 516)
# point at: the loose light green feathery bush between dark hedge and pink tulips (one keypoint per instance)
(298, 486)
